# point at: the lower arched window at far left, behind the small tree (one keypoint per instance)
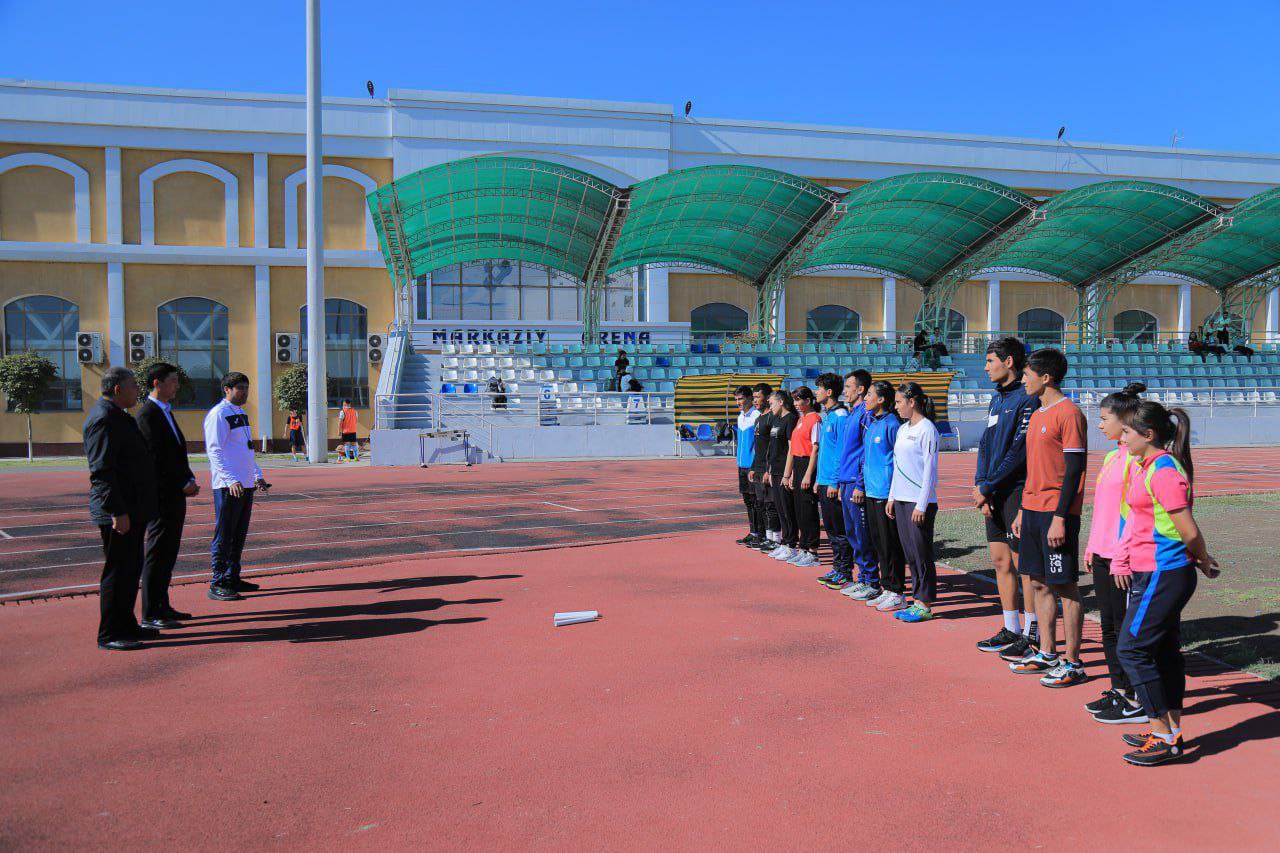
(48, 326)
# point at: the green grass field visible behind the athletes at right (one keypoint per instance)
(1235, 618)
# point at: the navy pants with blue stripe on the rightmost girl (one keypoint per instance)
(1150, 647)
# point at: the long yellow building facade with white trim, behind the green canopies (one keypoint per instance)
(180, 216)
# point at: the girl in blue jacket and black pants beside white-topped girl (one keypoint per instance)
(877, 478)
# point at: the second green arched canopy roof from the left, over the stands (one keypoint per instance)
(739, 220)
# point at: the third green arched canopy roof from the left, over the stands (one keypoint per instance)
(918, 226)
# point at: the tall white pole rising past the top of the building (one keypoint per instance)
(318, 394)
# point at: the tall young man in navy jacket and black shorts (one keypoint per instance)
(998, 492)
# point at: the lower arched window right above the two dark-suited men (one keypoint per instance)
(193, 332)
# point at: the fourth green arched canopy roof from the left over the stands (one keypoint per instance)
(1095, 230)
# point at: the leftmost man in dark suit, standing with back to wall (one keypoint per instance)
(122, 500)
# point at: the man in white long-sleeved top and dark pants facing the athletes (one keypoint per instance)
(236, 477)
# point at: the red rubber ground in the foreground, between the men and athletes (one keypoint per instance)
(724, 703)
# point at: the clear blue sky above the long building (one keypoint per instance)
(1112, 72)
